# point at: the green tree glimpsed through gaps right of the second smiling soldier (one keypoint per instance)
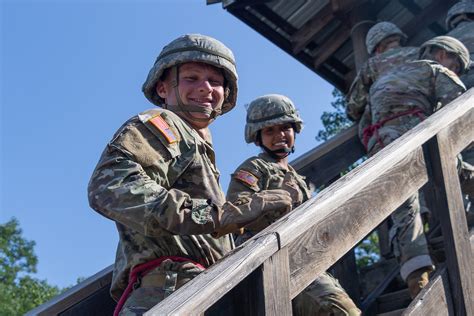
(367, 252)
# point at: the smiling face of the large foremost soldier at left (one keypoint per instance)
(199, 84)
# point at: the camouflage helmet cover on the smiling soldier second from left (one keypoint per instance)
(269, 110)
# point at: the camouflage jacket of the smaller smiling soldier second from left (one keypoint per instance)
(257, 174)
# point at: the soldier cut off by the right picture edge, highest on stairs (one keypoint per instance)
(460, 23)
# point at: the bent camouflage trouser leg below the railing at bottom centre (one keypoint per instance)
(324, 297)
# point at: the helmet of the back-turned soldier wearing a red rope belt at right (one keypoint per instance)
(451, 45)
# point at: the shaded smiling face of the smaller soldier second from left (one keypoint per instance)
(278, 137)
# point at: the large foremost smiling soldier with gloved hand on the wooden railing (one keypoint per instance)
(158, 181)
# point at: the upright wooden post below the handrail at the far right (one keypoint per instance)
(450, 210)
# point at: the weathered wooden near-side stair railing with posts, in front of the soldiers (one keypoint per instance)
(282, 260)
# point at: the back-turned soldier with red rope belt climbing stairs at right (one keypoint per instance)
(399, 100)
